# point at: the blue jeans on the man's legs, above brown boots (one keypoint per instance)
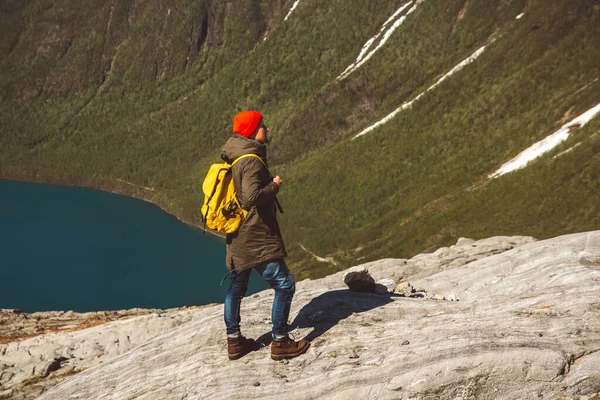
(278, 276)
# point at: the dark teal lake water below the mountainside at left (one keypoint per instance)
(69, 248)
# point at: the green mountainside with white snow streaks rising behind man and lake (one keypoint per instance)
(390, 120)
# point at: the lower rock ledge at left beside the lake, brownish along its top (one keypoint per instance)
(49, 358)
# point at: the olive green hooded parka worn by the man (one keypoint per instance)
(259, 239)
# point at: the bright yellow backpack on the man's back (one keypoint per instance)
(221, 210)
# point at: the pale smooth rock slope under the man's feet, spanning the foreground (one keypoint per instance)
(500, 318)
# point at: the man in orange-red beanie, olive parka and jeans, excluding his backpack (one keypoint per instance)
(258, 243)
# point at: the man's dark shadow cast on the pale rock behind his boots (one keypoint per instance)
(325, 311)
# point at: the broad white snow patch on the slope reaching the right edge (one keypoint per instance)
(547, 144)
